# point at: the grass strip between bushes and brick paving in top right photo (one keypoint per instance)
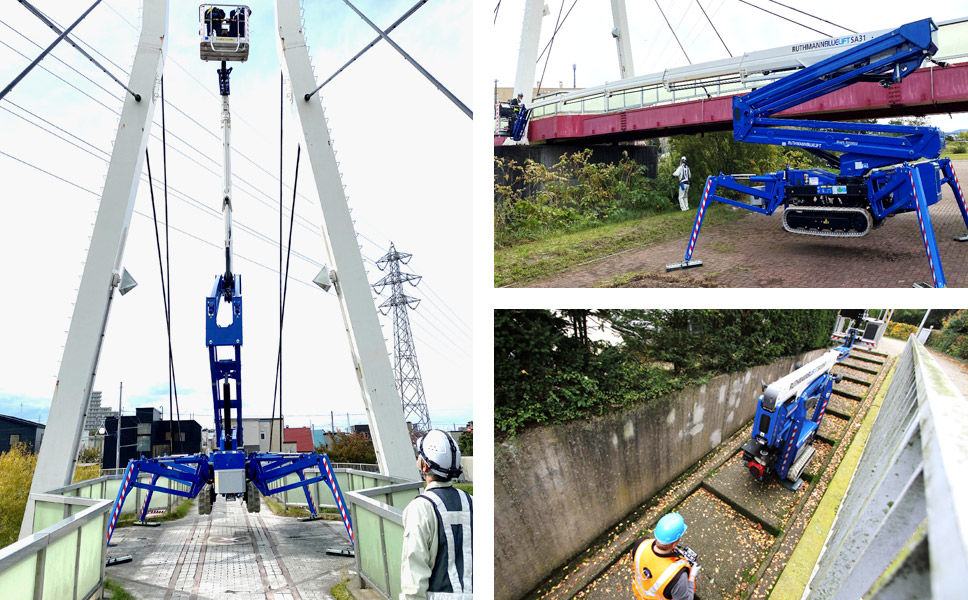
(524, 263)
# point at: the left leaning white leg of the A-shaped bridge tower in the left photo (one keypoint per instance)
(75, 379)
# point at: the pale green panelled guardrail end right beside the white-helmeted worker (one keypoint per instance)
(378, 521)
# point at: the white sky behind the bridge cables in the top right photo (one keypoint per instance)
(585, 39)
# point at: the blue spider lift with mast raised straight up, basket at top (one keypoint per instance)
(227, 472)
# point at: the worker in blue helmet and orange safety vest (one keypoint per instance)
(662, 569)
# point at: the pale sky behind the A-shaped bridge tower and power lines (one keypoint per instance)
(405, 156)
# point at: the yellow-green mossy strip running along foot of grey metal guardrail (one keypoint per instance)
(797, 572)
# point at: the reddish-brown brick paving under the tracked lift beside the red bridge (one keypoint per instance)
(754, 251)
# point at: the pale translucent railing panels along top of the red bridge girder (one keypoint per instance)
(726, 77)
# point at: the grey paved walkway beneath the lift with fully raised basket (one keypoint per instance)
(231, 554)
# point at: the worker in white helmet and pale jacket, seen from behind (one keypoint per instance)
(437, 527)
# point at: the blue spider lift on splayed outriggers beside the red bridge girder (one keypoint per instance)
(879, 175)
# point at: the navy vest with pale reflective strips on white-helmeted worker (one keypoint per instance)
(452, 575)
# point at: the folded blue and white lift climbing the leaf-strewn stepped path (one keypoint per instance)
(788, 415)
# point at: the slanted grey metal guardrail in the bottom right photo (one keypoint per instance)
(901, 530)
